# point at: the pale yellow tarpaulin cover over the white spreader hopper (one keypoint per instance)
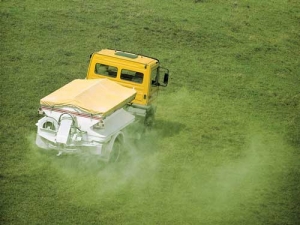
(96, 96)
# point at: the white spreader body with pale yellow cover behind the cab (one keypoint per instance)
(84, 114)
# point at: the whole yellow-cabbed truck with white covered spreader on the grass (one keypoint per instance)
(92, 114)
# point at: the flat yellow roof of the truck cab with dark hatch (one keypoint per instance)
(146, 60)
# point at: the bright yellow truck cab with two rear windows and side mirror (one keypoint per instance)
(139, 72)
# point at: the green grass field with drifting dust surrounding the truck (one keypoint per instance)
(225, 145)
